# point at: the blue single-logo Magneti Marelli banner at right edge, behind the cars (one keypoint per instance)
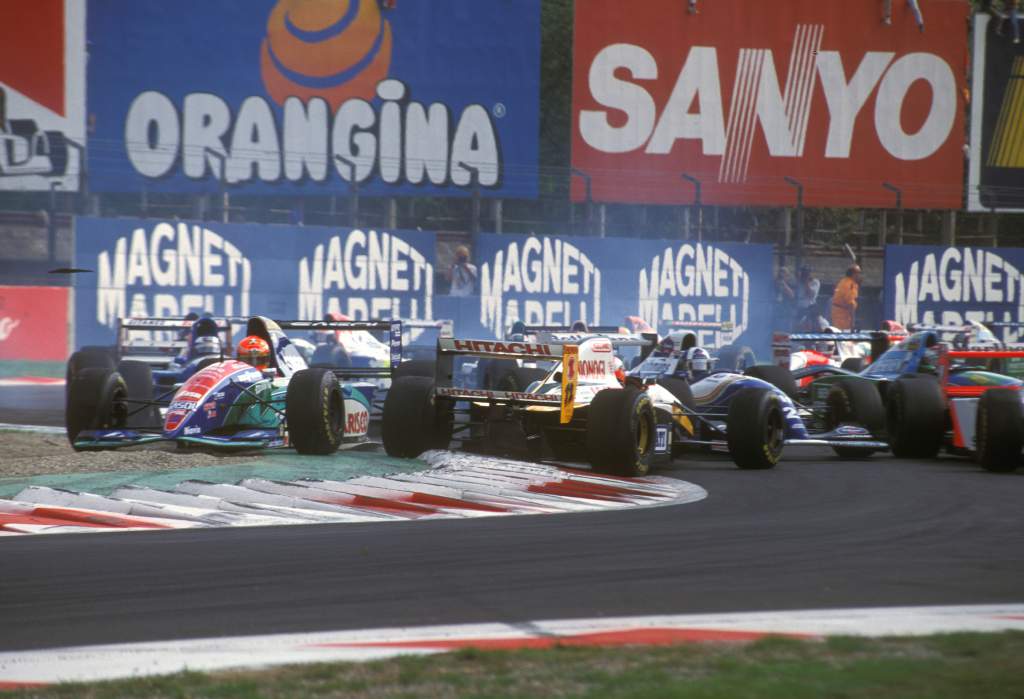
(952, 286)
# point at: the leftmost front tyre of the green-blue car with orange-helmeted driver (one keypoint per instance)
(97, 401)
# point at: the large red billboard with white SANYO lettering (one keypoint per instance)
(743, 96)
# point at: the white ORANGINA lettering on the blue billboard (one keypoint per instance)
(402, 141)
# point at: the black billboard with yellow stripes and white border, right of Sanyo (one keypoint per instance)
(997, 168)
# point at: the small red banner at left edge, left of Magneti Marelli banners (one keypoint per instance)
(34, 324)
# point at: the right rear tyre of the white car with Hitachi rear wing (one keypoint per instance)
(621, 432)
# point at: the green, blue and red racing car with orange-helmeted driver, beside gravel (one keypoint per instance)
(235, 405)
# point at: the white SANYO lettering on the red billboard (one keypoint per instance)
(632, 120)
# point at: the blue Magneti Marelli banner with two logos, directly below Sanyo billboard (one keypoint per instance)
(559, 281)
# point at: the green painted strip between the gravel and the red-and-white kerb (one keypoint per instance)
(283, 466)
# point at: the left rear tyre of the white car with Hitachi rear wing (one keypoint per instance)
(415, 420)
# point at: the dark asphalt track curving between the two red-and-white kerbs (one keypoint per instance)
(815, 533)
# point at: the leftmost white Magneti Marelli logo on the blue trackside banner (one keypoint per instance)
(170, 271)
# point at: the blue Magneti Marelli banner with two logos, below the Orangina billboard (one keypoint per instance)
(167, 269)
